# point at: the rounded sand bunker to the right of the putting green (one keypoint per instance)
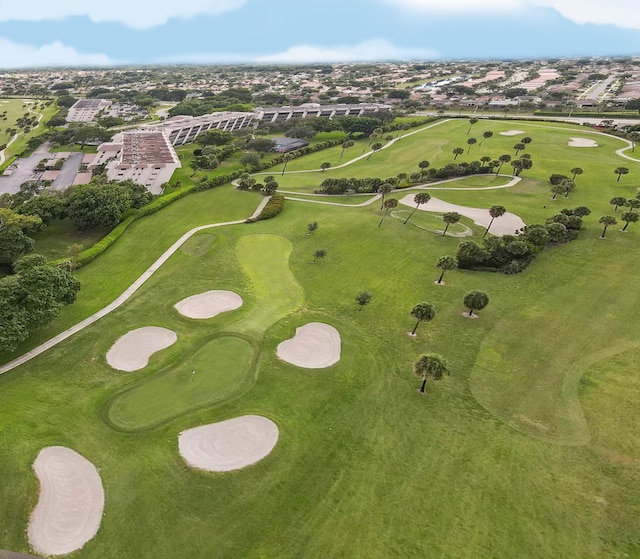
(315, 346)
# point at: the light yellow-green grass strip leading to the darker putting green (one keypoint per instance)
(276, 293)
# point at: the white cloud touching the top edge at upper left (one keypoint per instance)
(140, 14)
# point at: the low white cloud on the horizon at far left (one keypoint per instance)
(15, 55)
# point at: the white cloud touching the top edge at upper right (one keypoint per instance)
(622, 13)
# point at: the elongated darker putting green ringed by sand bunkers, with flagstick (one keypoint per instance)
(218, 370)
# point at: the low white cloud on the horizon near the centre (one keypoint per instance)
(377, 49)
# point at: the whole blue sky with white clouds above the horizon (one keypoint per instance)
(84, 32)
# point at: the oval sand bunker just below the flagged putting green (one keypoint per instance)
(228, 445)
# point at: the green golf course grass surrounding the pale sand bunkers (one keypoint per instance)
(529, 449)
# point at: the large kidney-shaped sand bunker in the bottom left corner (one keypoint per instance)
(69, 510)
